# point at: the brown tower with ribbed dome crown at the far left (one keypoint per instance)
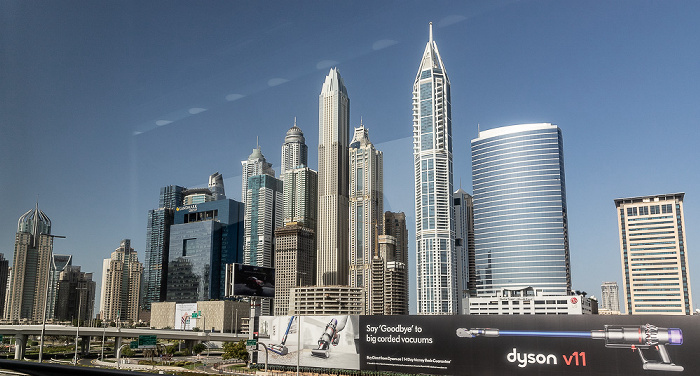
(30, 271)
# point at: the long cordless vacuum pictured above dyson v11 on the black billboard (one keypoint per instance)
(636, 338)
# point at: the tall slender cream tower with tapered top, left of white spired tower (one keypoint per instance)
(333, 133)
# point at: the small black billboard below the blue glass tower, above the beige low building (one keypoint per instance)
(248, 280)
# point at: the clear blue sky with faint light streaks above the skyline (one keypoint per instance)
(102, 103)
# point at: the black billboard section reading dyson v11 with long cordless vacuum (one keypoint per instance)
(531, 345)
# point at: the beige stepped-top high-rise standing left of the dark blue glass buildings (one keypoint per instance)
(122, 284)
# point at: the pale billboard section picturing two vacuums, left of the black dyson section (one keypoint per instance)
(316, 341)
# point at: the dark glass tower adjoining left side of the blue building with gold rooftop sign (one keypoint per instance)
(158, 242)
